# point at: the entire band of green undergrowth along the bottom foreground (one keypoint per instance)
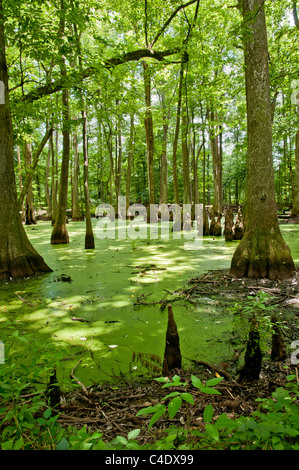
(30, 420)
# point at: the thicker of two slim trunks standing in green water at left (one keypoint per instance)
(59, 232)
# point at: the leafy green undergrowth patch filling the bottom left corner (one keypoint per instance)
(26, 421)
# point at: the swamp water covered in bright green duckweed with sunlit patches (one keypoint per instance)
(93, 317)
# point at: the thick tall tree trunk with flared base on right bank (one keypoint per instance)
(262, 251)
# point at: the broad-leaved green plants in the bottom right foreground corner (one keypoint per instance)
(274, 426)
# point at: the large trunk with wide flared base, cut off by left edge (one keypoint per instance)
(18, 258)
